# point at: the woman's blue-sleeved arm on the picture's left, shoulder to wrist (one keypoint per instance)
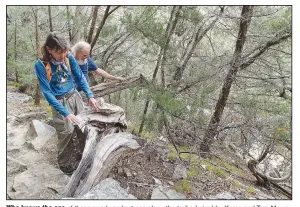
(45, 87)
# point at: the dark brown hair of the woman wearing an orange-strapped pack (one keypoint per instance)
(54, 42)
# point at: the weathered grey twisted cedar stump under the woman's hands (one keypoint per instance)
(105, 144)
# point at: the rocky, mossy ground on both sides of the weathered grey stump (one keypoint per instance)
(153, 172)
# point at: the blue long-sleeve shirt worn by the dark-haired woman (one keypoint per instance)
(61, 83)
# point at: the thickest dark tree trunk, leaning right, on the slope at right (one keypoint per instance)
(215, 119)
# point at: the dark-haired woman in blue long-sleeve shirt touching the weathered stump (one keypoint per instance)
(61, 94)
